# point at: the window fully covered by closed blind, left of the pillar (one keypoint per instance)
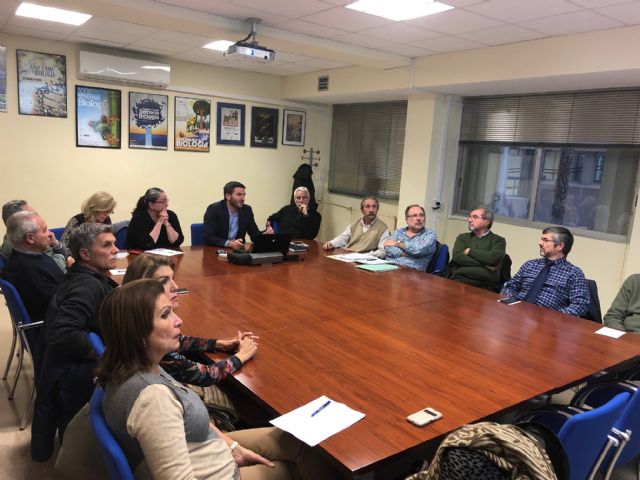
(367, 144)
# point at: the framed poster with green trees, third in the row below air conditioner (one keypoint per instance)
(192, 118)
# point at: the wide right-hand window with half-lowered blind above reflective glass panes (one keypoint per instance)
(566, 159)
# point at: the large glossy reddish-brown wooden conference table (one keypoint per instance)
(387, 344)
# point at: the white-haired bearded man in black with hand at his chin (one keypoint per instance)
(298, 219)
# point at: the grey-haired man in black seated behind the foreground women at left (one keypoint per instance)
(65, 379)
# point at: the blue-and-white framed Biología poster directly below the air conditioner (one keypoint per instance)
(98, 117)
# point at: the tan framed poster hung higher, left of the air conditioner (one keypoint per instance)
(42, 84)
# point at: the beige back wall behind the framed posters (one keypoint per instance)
(41, 163)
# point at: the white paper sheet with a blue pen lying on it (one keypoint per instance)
(332, 419)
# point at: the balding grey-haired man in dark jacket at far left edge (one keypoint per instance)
(34, 274)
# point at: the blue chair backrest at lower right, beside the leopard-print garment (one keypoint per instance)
(584, 435)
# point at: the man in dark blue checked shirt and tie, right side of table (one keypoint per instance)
(552, 281)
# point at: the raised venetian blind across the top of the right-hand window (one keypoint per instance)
(597, 117)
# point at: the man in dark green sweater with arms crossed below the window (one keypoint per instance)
(477, 256)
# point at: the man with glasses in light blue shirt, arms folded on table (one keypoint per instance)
(414, 245)
